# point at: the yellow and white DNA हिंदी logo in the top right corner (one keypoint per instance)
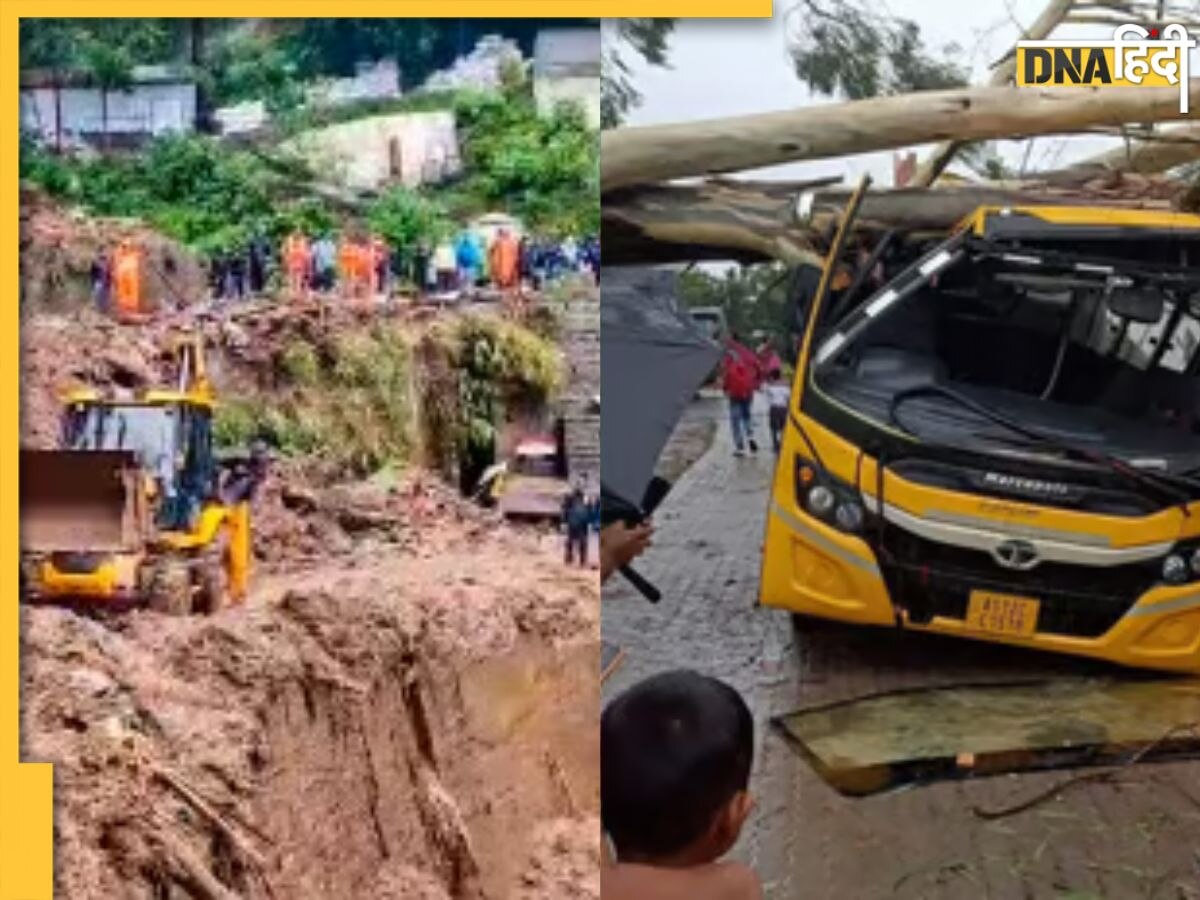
(1136, 57)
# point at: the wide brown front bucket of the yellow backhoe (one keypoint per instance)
(81, 501)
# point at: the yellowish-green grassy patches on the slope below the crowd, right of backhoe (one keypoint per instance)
(356, 403)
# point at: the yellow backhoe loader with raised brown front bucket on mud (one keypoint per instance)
(134, 509)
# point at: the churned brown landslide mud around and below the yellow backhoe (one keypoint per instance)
(405, 707)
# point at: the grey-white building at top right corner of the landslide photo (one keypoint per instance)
(567, 68)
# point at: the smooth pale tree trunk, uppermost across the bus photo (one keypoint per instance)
(658, 153)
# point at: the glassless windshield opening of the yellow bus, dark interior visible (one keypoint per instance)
(1084, 350)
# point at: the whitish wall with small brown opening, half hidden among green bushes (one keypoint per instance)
(407, 148)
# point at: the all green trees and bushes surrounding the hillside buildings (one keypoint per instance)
(213, 196)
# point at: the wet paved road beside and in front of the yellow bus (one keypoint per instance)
(1137, 837)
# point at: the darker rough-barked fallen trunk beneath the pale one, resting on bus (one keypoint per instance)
(755, 221)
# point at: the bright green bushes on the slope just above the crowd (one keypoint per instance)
(213, 196)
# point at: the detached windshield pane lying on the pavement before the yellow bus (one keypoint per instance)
(877, 743)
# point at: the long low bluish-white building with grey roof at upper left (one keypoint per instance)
(163, 100)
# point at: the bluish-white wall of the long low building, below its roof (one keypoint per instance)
(146, 110)
